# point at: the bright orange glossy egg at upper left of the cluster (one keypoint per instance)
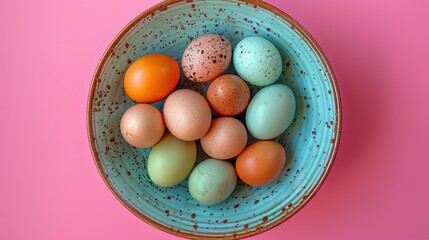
(151, 78)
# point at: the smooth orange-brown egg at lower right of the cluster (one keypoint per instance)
(261, 162)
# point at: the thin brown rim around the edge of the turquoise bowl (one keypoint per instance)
(163, 6)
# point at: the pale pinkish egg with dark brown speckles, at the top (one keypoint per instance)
(206, 57)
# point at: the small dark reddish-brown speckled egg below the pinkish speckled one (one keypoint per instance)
(228, 95)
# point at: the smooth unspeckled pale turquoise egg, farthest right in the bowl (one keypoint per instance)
(271, 111)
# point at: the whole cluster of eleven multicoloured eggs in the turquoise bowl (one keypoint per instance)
(188, 116)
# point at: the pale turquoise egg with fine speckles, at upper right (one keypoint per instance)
(257, 61)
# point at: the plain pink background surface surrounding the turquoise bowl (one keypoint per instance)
(377, 189)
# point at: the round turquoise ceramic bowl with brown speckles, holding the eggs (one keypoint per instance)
(311, 141)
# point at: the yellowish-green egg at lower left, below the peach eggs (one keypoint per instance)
(171, 160)
